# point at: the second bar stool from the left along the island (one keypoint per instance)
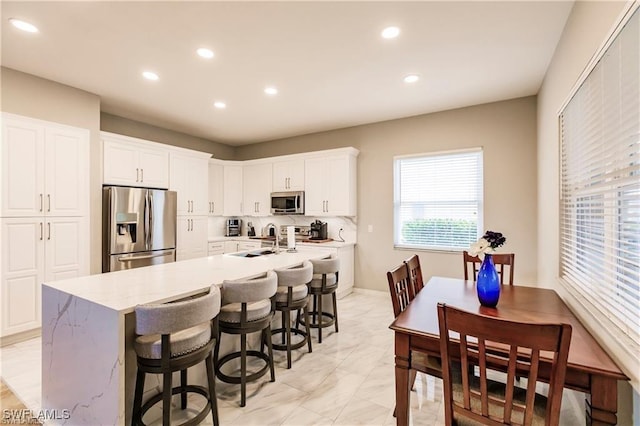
(248, 306)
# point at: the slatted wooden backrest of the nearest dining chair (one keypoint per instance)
(497, 344)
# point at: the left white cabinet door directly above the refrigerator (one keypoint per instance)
(121, 164)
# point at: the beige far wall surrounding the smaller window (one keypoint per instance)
(507, 132)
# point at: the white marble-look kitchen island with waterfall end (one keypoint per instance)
(88, 329)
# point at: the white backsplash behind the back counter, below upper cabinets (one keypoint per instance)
(334, 224)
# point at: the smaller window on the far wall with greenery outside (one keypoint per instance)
(438, 200)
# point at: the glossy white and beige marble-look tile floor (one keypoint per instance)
(347, 380)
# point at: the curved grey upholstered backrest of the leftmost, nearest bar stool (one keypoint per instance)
(167, 318)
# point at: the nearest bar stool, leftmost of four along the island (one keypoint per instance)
(173, 337)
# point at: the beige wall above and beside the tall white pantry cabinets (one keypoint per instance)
(32, 96)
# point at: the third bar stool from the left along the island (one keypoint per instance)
(293, 295)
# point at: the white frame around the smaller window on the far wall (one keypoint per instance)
(397, 192)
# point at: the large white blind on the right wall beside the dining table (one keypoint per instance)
(600, 186)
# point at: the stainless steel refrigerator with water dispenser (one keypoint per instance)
(139, 227)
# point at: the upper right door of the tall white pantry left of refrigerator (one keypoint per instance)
(66, 165)
